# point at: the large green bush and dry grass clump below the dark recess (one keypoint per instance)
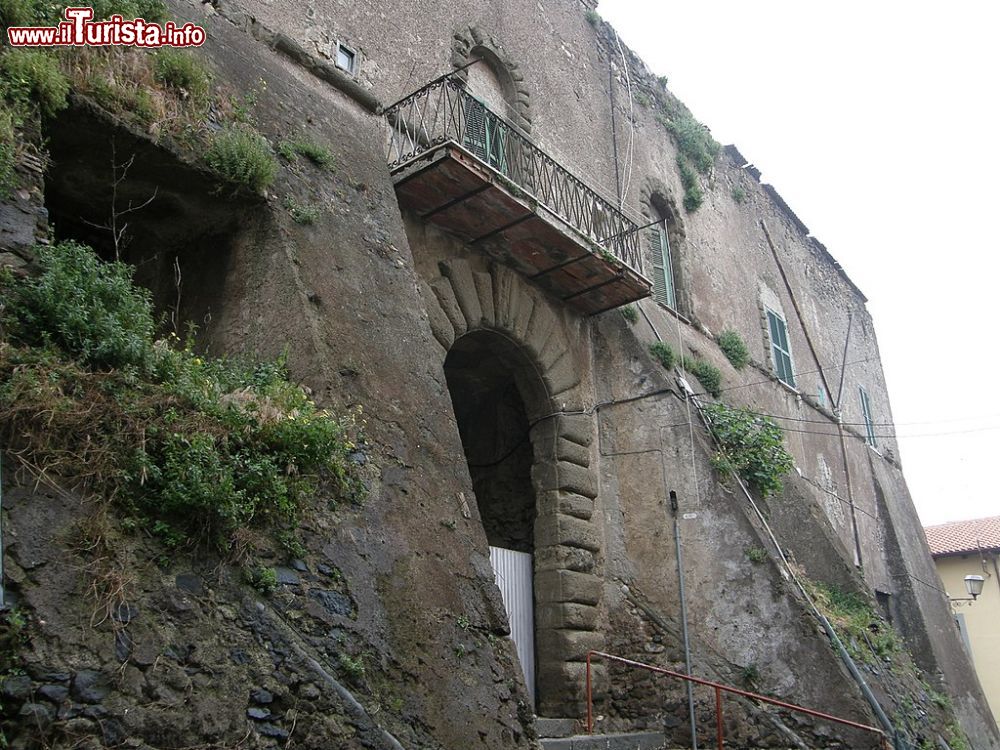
(193, 448)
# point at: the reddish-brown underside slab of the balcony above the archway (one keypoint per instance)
(455, 191)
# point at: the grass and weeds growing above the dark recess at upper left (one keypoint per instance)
(167, 94)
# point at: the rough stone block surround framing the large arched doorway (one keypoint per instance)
(568, 537)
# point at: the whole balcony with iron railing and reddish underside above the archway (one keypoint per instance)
(462, 167)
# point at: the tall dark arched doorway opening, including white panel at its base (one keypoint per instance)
(491, 382)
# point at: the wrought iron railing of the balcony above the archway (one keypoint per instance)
(444, 111)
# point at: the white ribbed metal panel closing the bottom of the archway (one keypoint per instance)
(513, 571)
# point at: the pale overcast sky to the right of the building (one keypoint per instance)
(877, 123)
